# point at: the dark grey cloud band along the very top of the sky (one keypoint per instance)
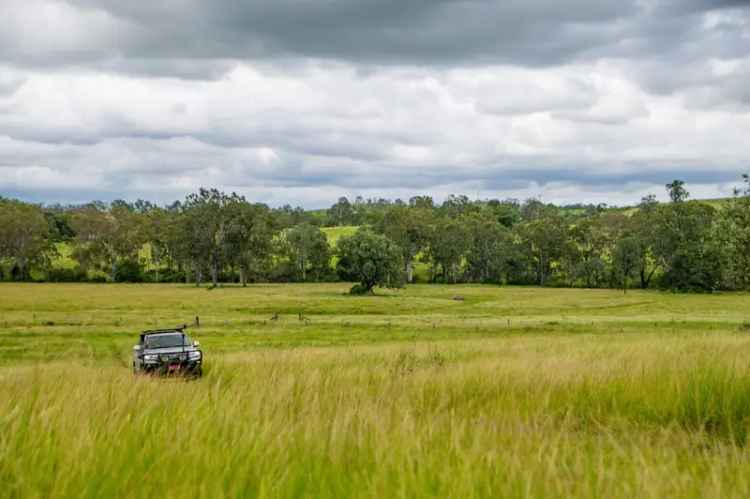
(192, 39)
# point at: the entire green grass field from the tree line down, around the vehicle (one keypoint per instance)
(515, 392)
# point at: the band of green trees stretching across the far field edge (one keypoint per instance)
(214, 237)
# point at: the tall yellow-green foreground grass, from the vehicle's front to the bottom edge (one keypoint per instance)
(514, 417)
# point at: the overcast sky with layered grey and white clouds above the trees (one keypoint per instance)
(303, 101)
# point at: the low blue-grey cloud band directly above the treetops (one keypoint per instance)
(283, 182)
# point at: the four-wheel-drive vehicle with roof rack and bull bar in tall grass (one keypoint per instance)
(167, 351)
